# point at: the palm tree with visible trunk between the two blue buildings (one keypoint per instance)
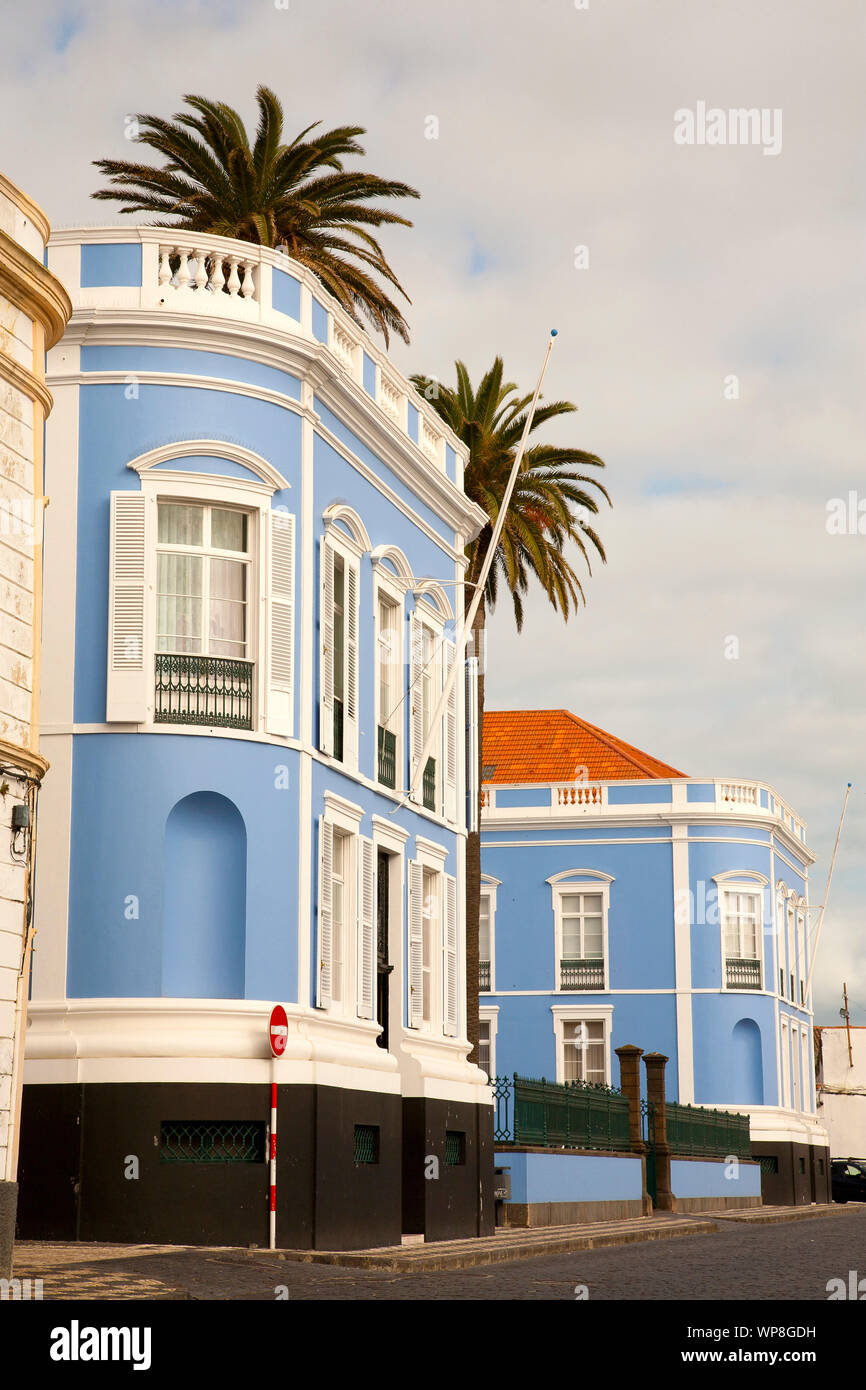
(543, 519)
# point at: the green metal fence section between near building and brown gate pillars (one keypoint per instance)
(553, 1115)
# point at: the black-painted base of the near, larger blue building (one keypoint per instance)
(148, 1164)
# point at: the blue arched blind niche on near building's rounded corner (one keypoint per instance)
(205, 900)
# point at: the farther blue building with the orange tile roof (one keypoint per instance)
(626, 903)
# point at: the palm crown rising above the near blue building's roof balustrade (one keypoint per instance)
(298, 195)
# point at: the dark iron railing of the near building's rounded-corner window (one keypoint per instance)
(204, 690)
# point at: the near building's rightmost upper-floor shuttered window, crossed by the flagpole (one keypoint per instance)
(432, 660)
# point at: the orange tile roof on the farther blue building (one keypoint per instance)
(548, 746)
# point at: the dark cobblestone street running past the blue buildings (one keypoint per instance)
(792, 1261)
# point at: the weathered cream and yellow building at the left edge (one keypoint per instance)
(34, 313)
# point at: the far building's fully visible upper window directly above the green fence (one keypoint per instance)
(582, 900)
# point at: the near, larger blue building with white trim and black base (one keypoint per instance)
(255, 553)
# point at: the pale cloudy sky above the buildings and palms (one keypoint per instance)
(711, 330)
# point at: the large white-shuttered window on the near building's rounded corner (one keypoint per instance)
(201, 603)
